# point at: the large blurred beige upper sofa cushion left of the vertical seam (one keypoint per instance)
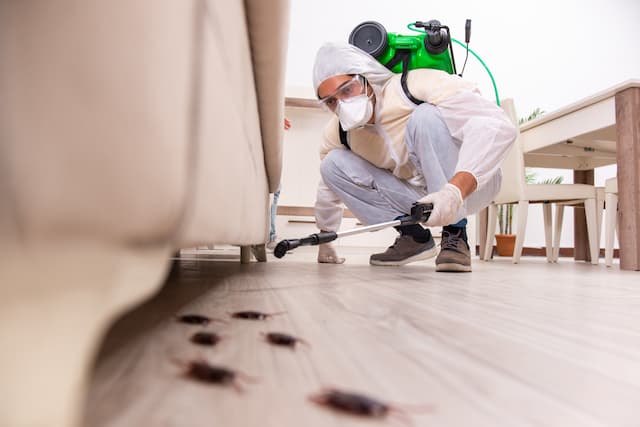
(94, 116)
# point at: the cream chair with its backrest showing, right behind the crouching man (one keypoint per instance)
(515, 190)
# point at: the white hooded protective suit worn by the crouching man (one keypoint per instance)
(481, 128)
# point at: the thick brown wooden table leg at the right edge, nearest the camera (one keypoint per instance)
(628, 158)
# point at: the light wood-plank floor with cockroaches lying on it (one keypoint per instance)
(507, 345)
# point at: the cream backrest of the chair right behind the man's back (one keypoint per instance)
(513, 172)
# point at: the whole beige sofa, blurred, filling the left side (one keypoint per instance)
(128, 129)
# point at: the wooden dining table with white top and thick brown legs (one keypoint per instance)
(599, 130)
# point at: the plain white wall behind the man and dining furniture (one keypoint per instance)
(544, 54)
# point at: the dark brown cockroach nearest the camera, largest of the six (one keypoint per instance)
(362, 405)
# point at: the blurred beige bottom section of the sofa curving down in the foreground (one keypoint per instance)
(56, 302)
